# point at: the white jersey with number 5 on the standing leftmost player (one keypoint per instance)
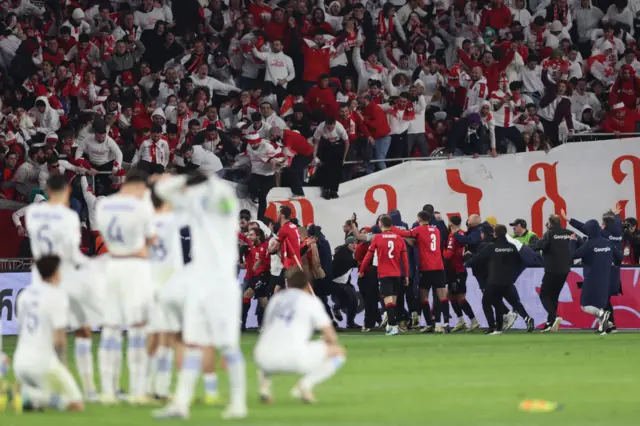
(54, 229)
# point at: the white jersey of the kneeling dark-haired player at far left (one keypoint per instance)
(42, 309)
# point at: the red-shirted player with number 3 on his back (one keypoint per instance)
(432, 276)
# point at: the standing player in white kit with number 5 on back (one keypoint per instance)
(54, 229)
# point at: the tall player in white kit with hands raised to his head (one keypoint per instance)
(213, 306)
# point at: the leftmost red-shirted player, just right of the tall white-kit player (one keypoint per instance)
(258, 262)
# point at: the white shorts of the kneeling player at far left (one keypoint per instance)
(40, 382)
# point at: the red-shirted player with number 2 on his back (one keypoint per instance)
(392, 255)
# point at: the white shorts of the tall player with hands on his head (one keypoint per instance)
(213, 319)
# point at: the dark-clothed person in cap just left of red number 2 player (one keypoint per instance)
(343, 290)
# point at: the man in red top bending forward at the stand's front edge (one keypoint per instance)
(303, 155)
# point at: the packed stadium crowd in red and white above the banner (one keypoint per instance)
(264, 93)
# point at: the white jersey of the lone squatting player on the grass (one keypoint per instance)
(291, 318)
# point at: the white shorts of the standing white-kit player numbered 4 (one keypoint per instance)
(130, 292)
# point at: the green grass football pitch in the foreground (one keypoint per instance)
(466, 380)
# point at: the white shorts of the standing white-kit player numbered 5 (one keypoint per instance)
(86, 288)
